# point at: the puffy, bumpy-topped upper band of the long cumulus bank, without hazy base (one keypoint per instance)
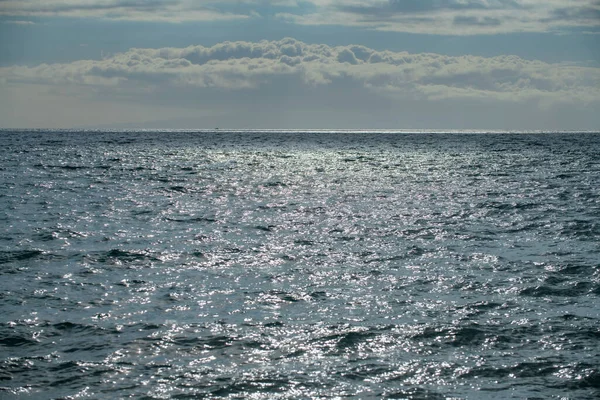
(234, 66)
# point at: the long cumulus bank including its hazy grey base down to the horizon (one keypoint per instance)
(288, 82)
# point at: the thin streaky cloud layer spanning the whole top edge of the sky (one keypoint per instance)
(454, 17)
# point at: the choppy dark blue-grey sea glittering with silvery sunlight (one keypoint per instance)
(299, 265)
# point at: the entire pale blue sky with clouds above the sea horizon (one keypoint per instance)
(331, 64)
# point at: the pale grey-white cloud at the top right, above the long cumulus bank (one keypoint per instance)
(455, 17)
